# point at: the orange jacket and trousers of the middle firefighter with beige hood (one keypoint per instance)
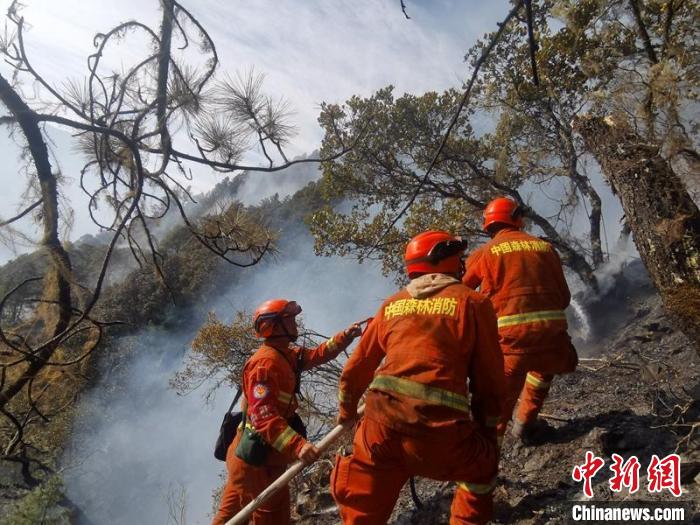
(419, 420)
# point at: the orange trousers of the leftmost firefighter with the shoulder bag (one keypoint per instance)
(244, 483)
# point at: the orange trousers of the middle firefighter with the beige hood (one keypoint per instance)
(366, 484)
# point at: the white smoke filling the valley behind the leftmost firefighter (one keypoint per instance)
(137, 439)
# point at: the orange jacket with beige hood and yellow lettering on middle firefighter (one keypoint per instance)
(433, 336)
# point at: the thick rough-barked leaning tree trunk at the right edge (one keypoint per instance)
(664, 220)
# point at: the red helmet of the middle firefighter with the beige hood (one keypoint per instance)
(434, 252)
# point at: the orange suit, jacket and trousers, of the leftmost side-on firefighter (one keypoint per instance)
(269, 379)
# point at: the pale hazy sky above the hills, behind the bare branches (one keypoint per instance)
(310, 51)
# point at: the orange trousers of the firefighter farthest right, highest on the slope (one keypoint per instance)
(528, 377)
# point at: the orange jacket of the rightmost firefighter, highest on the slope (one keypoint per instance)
(523, 277)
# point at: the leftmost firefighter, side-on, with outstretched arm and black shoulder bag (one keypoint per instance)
(272, 435)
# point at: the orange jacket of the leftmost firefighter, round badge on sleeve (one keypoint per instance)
(269, 378)
